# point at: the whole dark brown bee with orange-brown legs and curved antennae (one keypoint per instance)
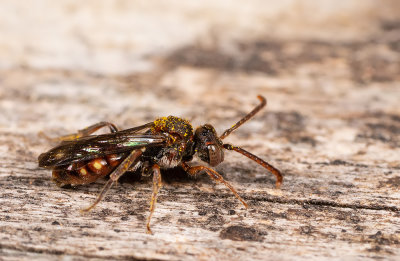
(167, 142)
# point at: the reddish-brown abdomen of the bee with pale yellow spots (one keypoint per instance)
(85, 172)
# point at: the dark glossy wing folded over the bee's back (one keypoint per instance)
(91, 147)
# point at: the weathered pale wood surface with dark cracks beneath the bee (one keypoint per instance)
(332, 125)
